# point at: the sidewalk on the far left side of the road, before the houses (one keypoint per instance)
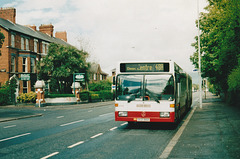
(9, 113)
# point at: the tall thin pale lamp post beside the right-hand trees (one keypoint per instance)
(199, 60)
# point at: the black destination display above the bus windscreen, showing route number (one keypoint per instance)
(144, 67)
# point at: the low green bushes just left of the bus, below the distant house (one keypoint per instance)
(100, 85)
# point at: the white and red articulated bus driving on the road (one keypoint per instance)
(152, 92)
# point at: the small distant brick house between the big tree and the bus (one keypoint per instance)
(96, 73)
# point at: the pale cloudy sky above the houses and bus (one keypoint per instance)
(112, 31)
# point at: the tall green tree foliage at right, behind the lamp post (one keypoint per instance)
(220, 38)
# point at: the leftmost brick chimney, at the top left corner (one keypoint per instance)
(8, 14)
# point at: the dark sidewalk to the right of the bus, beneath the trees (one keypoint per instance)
(212, 132)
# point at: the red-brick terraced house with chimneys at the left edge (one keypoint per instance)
(23, 46)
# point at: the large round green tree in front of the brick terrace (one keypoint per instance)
(60, 64)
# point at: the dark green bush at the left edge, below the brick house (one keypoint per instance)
(7, 92)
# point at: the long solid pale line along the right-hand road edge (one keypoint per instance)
(176, 137)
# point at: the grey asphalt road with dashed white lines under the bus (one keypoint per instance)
(83, 133)
